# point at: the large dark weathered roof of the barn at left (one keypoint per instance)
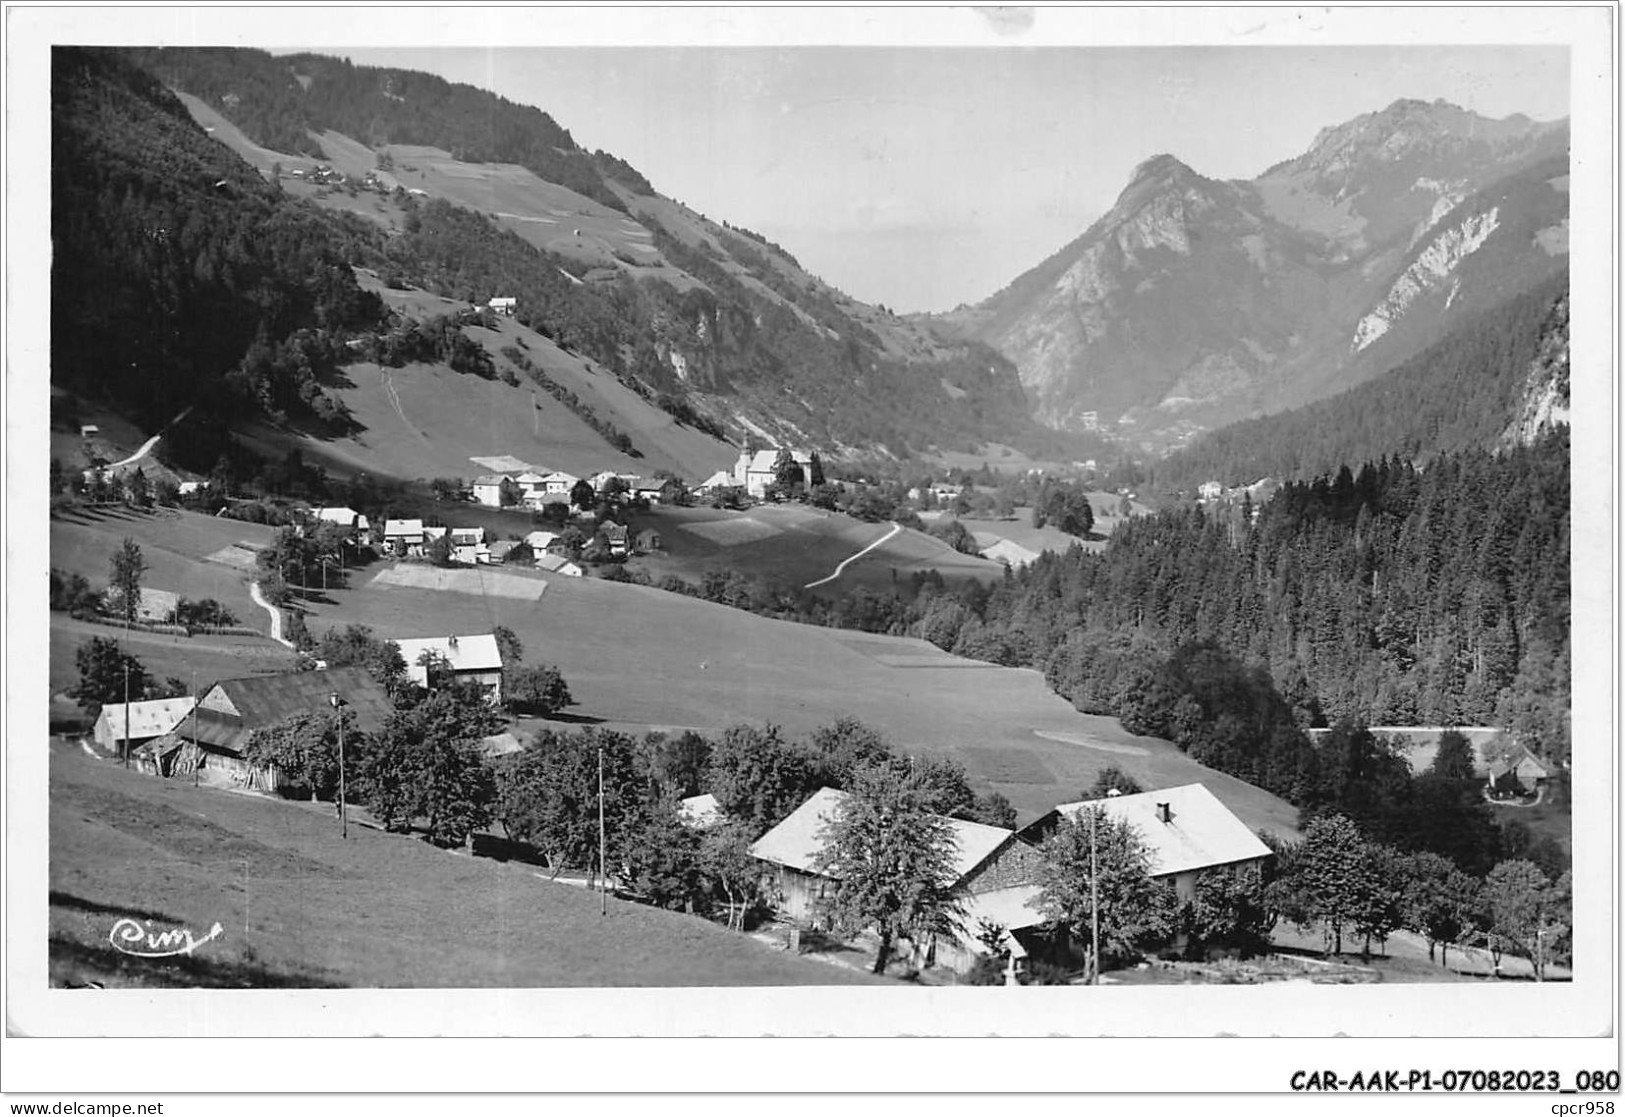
(266, 700)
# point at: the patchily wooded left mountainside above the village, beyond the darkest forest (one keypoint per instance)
(722, 326)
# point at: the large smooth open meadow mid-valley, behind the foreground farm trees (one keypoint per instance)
(641, 659)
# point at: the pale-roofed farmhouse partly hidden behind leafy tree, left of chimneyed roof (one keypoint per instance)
(987, 859)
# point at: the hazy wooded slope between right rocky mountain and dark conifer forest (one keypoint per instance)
(1460, 394)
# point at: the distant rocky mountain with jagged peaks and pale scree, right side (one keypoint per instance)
(1198, 302)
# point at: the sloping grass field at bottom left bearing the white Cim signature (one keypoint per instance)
(300, 906)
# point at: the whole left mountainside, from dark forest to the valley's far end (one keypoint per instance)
(219, 155)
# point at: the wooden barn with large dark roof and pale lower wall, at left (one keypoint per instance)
(214, 739)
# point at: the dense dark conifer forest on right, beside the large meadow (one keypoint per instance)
(1387, 596)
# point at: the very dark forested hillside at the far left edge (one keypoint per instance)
(170, 258)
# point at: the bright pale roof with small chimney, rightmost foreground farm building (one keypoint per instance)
(1200, 833)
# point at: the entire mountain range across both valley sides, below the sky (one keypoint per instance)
(223, 222)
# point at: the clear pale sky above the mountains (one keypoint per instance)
(922, 178)
